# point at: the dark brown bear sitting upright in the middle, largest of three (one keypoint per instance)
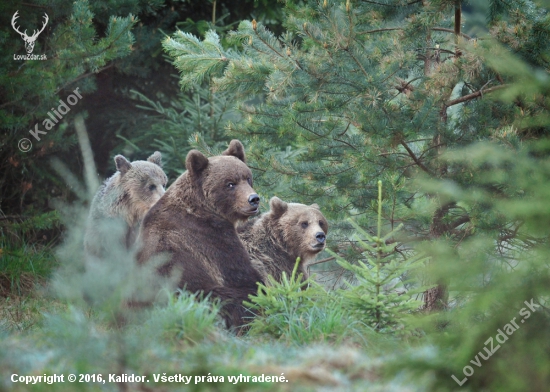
(193, 225)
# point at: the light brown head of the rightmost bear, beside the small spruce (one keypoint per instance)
(303, 228)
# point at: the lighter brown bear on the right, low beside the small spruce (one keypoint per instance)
(288, 231)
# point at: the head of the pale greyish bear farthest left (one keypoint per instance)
(142, 182)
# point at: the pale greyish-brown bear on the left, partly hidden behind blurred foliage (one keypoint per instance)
(121, 203)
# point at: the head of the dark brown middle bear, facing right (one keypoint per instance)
(224, 183)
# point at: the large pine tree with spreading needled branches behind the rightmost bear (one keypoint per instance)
(374, 90)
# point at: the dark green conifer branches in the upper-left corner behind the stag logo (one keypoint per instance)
(75, 49)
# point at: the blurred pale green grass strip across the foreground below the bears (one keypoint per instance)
(185, 336)
